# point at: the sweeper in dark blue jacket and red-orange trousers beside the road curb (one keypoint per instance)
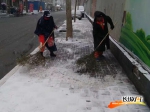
(45, 27)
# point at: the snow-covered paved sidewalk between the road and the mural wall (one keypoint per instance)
(57, 87)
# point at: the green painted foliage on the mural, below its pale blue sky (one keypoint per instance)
(136, 42)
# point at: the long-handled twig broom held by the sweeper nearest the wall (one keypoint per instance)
(88, 64)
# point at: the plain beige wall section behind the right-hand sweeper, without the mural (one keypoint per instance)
(112, 8)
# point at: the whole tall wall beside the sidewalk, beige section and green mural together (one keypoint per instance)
(132, 26)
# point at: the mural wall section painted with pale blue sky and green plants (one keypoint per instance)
(135, 33)
